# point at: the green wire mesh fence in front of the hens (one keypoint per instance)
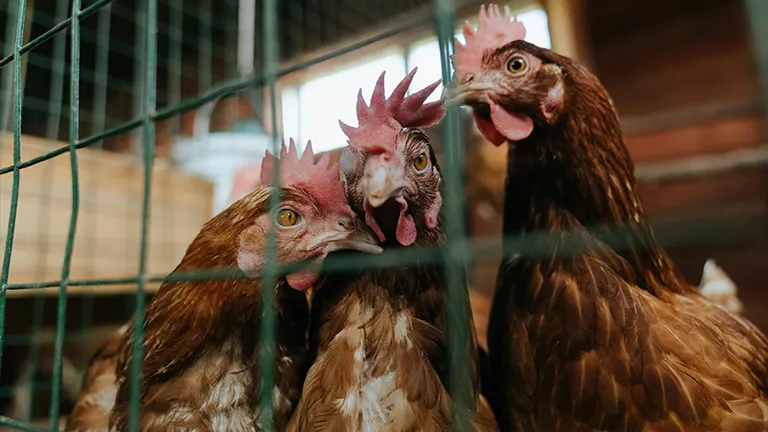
(454, 253)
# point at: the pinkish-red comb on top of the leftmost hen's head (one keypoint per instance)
(295, 170)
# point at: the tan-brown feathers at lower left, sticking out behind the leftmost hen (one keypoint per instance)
(97, 396)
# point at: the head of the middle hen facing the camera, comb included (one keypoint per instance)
(390, 166)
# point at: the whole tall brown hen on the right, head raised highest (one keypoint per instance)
(600, 332)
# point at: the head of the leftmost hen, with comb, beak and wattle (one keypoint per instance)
(313, 219)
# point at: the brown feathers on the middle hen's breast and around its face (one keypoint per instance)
(380, 335)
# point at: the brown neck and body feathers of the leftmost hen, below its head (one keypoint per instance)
(200, 357)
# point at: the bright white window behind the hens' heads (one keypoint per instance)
(312, 109)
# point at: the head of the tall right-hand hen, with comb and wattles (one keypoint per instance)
(510, 84)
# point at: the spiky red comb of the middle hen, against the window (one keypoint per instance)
(379, 123)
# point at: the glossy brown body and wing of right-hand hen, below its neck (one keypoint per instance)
(597, 352)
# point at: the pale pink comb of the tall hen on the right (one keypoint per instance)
(494, 30)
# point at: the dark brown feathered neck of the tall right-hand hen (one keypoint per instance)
(581, 166)
